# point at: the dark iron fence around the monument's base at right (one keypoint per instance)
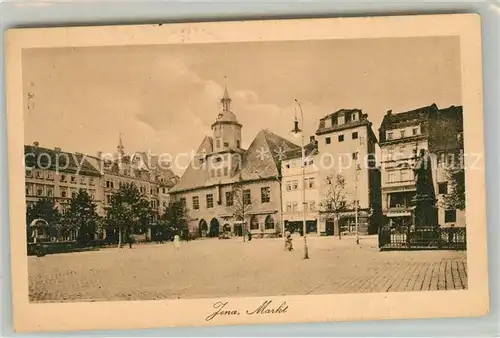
(410, 238)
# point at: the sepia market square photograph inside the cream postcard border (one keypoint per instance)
(254, 168)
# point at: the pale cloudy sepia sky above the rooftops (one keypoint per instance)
(164, 98)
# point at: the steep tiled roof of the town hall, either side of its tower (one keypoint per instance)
(260, 160)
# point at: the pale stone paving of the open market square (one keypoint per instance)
(218, 268)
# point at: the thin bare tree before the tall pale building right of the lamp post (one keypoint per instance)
(335, 200)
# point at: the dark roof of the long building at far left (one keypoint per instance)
(58, 160)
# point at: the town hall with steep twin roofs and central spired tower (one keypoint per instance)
(222, 170)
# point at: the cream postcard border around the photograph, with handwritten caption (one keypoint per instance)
(318, 308)
